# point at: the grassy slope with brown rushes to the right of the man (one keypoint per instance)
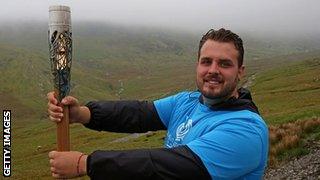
(288, 98)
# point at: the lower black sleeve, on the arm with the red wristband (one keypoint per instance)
(175, 163)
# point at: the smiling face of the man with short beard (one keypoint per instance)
(217, 69)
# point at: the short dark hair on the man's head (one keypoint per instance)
(223, 35)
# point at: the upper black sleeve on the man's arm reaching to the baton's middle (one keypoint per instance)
(124, 116)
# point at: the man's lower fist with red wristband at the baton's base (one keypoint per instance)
(68, 164)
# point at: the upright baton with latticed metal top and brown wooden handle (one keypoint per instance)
(60, 50)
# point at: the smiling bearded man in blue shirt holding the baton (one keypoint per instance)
(213, 133)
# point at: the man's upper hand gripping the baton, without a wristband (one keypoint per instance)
(77, 113)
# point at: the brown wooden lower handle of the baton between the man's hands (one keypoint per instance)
(63, 138)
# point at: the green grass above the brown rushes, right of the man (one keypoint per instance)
(289, 93)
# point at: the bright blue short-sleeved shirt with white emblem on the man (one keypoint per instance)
(231, 144)
